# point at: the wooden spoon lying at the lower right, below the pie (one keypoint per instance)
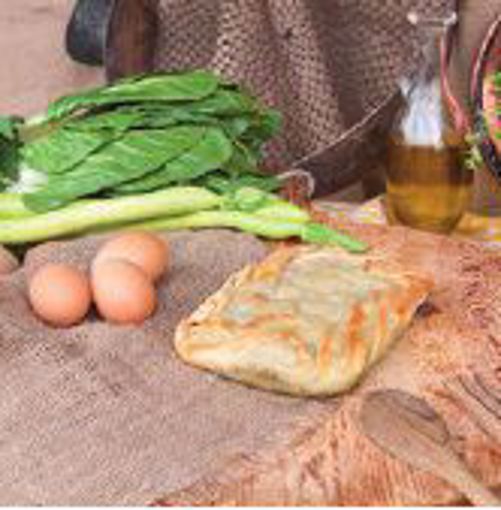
(410, 430)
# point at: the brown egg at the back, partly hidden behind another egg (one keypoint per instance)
(143, 249)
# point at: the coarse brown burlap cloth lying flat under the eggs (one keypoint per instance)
(99, 414)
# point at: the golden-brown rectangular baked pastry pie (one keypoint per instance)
(305, 321)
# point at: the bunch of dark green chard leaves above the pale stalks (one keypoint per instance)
(138, 135)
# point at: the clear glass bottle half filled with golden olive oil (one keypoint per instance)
(428, 184)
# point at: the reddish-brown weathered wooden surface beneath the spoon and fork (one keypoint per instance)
(327, 459)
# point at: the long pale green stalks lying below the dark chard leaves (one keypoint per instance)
(249, 210)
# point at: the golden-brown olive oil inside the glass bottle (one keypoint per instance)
(427, 187)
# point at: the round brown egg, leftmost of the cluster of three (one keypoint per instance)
(60, 294)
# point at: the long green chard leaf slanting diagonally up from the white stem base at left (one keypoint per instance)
(131, 157)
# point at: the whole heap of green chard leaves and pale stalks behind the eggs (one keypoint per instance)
(162, 151)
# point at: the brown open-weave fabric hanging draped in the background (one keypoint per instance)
(331, 67)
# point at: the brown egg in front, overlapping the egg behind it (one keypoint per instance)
(123, 292)
